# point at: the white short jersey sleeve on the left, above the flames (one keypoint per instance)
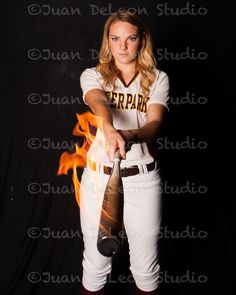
(90, 79)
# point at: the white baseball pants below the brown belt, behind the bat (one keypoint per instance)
(142, 217)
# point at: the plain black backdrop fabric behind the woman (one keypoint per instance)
(46, 47)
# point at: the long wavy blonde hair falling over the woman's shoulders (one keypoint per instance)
(145, 62)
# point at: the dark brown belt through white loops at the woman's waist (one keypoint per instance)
(125, 171)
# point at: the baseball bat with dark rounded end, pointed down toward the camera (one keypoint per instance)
(109, 240)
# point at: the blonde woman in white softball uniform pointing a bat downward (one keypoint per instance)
(130, 94)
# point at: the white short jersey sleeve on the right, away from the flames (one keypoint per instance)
(160, 92)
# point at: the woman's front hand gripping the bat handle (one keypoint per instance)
(114, 141)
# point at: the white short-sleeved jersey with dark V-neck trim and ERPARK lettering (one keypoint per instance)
(129, 111)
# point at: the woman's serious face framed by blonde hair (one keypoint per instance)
(123, 42)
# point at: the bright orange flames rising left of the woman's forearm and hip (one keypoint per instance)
(85, 123)
